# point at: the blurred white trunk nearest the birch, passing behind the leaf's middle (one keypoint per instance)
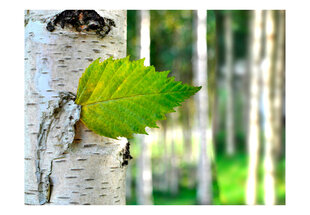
(144, 167)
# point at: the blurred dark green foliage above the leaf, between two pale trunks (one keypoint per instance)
(171, 42)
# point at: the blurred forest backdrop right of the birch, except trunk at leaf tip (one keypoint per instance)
(173, 150)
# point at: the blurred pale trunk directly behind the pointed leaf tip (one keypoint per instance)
(204, 190)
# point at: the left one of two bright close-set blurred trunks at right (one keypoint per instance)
(253, 142)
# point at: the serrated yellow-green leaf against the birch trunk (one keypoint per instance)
(122, 97)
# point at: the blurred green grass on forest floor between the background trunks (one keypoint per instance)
(228, 189)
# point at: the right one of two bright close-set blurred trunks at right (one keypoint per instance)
(268, 117)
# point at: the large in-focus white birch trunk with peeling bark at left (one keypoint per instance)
(66, 163)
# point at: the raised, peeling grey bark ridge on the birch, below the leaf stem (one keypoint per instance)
(56, 133)
